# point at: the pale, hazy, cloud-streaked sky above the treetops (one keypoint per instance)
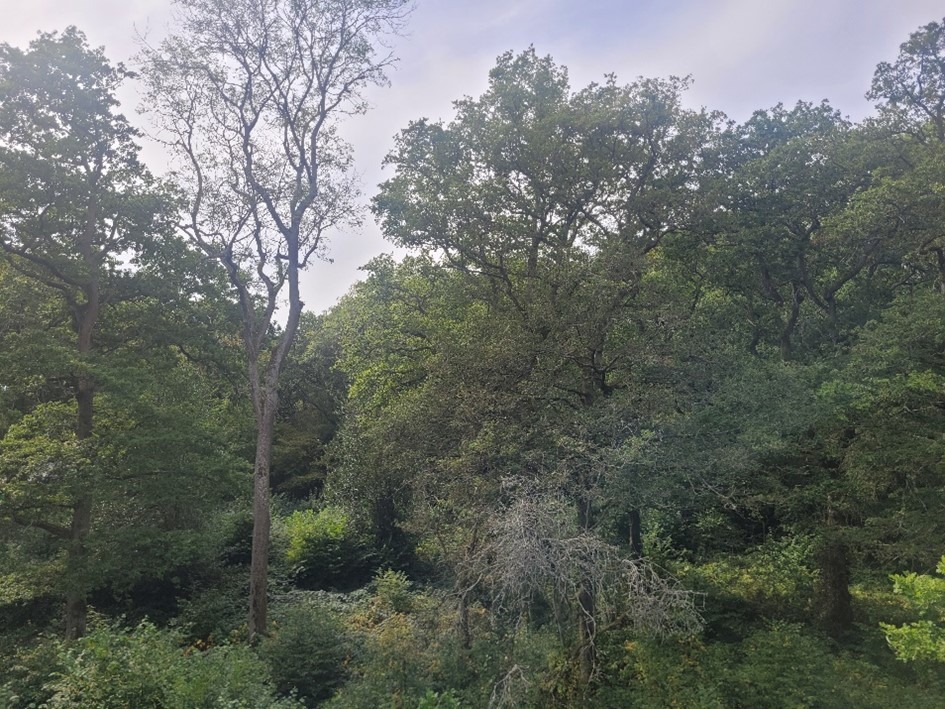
(742, 55)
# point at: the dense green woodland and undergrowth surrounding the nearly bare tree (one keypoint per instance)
(651, 414)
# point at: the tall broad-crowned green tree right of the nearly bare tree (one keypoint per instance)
(553, 205)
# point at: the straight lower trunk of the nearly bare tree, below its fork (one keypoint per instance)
(259, 565)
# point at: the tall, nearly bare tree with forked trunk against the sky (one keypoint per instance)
(249, 94)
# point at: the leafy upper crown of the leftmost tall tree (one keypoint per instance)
(74, 194)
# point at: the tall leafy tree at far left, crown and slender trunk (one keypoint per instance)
(75, 201)
